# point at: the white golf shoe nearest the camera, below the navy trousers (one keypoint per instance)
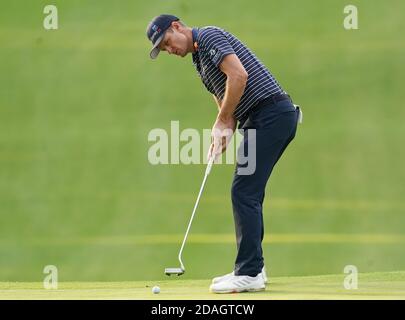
(233, 284)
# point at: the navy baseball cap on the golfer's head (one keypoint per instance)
(156, 31)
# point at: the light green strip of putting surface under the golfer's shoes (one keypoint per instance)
(383, 285)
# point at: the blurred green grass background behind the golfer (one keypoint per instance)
(77, 104)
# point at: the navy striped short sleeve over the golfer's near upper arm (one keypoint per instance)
(216, 45)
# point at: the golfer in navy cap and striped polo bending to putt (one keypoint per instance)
(246, 94)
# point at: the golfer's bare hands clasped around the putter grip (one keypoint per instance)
(221, 135)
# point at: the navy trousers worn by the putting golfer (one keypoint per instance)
(276, 125)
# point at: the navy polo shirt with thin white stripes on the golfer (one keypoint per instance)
(213, 45)
